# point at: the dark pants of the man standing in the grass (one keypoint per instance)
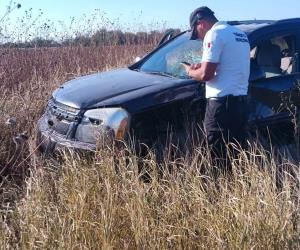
(225, 123)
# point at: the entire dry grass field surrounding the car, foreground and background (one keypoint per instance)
(80, 203)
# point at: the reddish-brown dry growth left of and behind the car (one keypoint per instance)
(28, 77)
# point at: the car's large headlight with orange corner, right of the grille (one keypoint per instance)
(102, 123)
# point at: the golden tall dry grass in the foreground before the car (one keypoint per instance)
(82, 203)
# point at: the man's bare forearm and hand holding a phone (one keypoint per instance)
(204, 72)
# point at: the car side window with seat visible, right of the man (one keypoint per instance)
(276, 56)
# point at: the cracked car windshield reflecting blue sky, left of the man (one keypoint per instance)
(166, 61)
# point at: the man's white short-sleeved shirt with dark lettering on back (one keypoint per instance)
(229, 47)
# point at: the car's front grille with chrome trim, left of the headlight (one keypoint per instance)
(61, 117)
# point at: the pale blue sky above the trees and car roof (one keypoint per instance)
(173, 13)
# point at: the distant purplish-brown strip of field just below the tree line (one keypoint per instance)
(19, 67)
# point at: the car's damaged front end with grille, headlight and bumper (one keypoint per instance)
(64, 127)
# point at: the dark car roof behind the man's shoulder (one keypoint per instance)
(248, 26)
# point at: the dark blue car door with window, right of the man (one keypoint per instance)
(274, 81)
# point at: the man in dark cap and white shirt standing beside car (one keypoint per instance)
(225, 67)
